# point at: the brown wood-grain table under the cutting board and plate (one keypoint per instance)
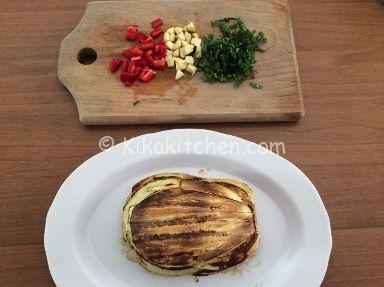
(339, 144)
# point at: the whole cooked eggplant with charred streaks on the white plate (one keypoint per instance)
(181, 224)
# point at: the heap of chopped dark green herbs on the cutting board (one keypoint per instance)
(231, 57)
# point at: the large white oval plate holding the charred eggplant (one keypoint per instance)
(83, 228)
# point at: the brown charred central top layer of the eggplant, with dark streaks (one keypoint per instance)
(183, 221)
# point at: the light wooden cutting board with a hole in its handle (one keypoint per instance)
(102, 99)
